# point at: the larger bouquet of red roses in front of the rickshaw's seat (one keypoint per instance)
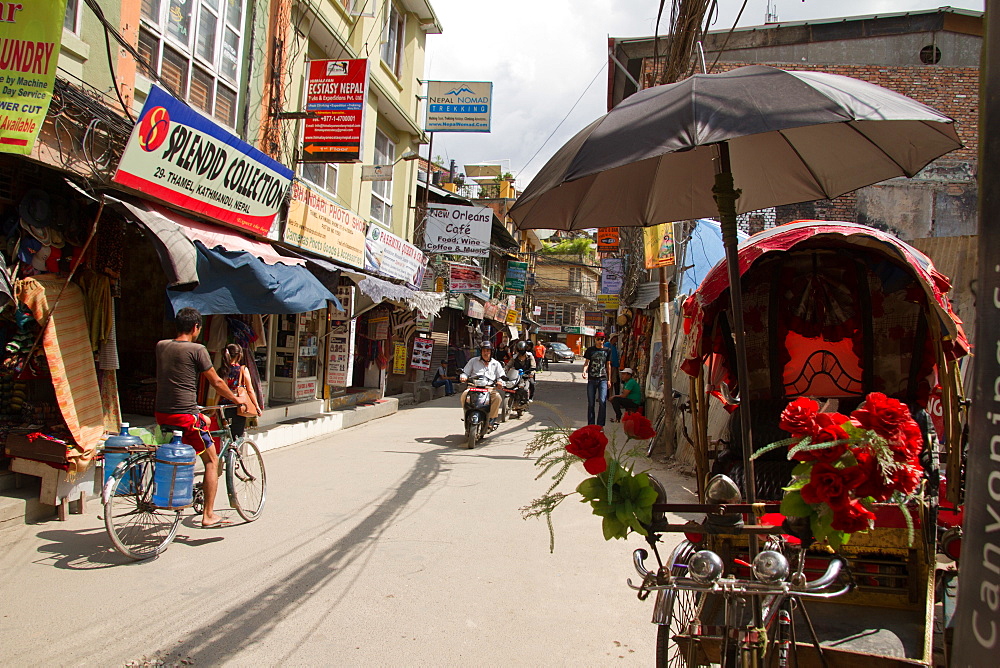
(846, 464)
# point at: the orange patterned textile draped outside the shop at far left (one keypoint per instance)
(71, 362)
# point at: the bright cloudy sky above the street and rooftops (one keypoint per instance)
(547, 60)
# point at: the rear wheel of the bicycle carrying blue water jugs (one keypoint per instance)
(137, 528)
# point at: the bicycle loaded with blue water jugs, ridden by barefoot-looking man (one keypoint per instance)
(141, 530)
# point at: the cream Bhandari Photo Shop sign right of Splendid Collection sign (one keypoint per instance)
(318, 224)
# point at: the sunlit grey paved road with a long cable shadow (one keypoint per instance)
(385, 544)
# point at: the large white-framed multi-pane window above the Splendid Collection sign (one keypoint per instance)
(194, 47)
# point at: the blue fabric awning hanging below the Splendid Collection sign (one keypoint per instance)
(239, 282)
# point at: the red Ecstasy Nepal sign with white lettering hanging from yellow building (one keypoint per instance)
(336, 93)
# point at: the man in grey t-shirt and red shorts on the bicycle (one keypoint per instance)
(180, 365)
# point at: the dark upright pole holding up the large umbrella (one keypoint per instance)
(725, 197)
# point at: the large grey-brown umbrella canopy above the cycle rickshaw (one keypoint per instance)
(792, 137)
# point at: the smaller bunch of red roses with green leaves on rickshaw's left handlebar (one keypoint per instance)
(619, 495)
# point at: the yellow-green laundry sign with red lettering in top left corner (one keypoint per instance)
(30, 37)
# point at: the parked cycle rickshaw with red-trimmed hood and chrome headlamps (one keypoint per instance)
(833, 311)
